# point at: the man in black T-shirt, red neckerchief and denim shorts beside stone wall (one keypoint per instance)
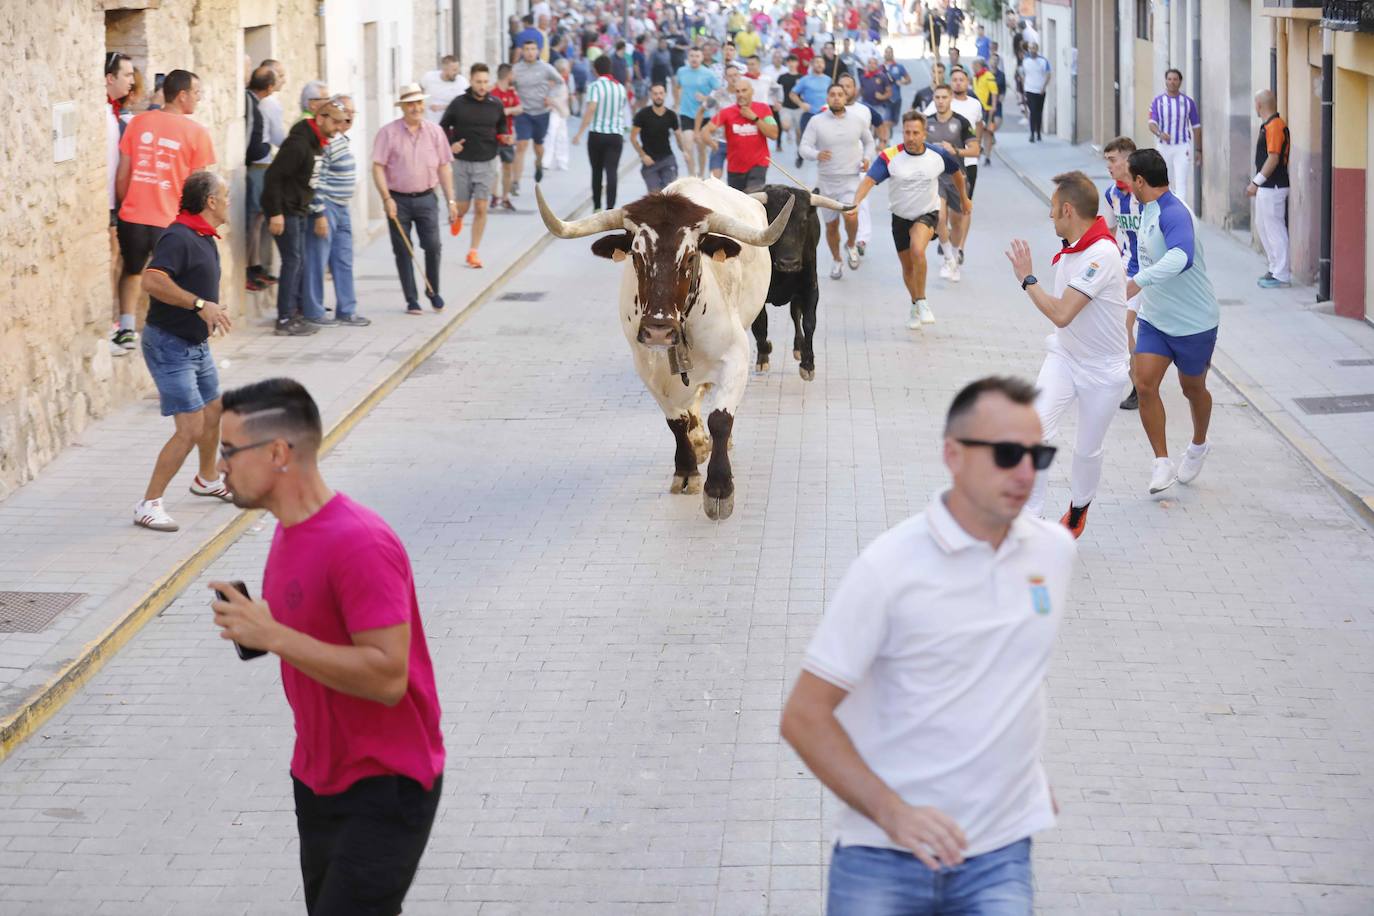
(183, 286)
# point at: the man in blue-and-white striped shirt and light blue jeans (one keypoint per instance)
(332, 241)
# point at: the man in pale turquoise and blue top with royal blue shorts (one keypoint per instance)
(1178, 317)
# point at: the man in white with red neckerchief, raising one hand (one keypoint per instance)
(1089, 359)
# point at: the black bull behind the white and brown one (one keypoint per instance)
(793, 277)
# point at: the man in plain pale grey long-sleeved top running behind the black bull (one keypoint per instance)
(842, 144)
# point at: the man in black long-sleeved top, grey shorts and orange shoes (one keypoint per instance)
(472, 124)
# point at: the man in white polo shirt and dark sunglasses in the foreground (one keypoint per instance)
(921, 700)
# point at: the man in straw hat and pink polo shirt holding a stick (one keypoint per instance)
(410, 157)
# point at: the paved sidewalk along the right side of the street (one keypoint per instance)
(1277, 348)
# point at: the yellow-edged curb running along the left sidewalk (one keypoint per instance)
(53, 696)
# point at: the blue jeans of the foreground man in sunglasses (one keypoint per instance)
(866, 881)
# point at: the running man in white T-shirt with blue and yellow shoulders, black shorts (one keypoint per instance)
(914, 200)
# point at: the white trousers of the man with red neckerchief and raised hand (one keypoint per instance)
(1063, 384)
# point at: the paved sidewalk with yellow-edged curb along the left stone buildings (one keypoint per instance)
(71, 531)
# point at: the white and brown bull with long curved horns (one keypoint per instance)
(696, 278)
